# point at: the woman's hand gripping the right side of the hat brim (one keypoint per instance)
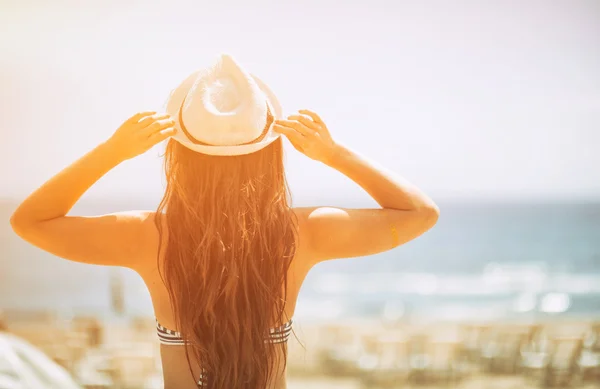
(308, 134)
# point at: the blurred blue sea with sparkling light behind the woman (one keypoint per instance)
(482, 261)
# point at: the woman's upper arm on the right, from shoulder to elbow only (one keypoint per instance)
(328, 232)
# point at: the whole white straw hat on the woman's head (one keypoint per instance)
(223, 110)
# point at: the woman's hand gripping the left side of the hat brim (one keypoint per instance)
(140, 133)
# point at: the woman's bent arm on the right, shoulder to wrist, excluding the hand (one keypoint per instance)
(406, 213)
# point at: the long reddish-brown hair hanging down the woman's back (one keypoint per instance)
(231, 238)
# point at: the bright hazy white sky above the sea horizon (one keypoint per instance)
(467, 99)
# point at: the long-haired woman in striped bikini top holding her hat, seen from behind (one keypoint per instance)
(224, 255)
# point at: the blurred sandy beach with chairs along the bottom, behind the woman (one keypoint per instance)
(351, 354)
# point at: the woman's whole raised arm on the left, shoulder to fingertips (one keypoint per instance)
(112, 239)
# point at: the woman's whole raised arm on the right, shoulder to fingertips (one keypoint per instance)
(330, 232)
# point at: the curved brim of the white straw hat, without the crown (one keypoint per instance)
(176, 99)
